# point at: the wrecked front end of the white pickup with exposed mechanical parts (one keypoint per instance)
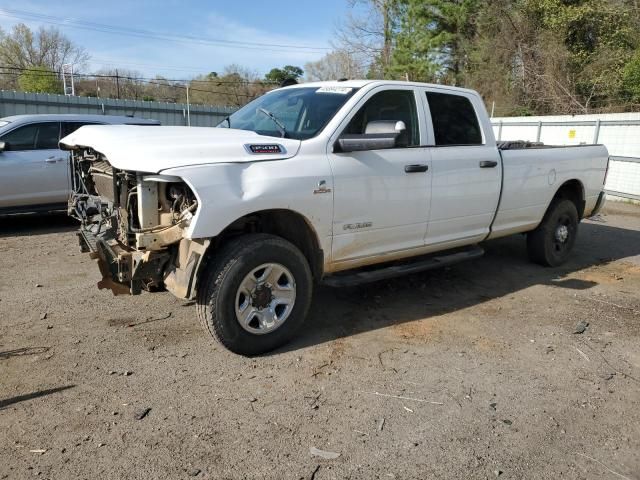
(134, 224)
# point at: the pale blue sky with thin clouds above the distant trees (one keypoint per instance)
(292, 25)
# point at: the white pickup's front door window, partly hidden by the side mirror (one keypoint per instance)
(399, 105)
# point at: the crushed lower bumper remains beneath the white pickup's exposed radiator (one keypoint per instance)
(124, 270)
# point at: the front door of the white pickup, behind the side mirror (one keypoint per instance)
(381, 197)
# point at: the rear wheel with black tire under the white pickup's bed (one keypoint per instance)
(547, 244)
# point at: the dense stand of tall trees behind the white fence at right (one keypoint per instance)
(530, 56)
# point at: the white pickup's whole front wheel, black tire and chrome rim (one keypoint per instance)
(255, 294)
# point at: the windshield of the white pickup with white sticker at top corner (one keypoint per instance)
(298, 113)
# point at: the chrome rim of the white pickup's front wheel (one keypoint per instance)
(265, 298)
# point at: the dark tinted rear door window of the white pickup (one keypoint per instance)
(454, 120)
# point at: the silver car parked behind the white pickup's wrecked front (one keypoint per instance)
(34, 172)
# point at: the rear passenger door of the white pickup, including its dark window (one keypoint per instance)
(466, 170)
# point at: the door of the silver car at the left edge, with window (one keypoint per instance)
(33, 171)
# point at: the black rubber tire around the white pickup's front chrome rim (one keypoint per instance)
(219, 289)
